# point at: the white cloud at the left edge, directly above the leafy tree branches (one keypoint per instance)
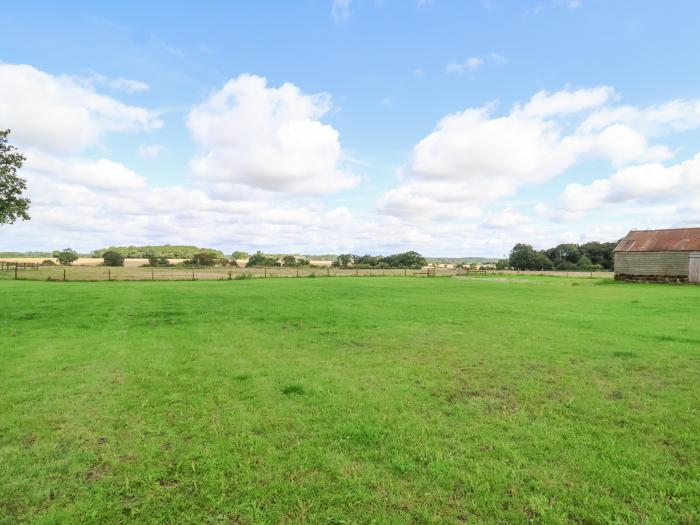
(60, 113)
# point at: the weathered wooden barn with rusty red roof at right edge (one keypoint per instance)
(659, 256)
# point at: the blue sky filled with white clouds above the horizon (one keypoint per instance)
(454, 128)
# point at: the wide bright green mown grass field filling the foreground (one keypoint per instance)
(370, 400)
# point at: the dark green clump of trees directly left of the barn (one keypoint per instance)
(592, 256)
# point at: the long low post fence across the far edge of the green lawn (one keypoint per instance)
(31, 271)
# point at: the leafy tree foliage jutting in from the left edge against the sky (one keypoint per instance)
(12, 205)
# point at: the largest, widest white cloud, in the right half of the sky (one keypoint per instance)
(474, 157)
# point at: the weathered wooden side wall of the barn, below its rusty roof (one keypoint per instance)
(652, 264)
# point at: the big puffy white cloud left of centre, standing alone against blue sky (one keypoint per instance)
(267, 138)
